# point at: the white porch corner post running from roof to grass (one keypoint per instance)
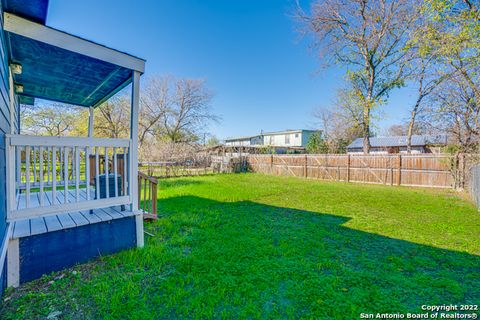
(133, 181)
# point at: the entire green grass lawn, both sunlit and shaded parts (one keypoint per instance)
(254, 246)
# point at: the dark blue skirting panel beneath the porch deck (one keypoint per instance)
(54, 251)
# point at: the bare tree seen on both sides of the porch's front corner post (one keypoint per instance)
(170, 109)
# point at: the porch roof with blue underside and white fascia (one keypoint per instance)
(60, 67)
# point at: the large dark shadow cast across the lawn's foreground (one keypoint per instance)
(244, 260)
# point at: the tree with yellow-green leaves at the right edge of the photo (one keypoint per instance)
(451, 37)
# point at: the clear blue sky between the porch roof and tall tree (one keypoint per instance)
(263, 74)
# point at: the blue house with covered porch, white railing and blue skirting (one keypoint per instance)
(63, 200)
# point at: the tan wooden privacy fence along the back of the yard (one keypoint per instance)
(425, 170)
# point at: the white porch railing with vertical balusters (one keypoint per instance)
(51, 175)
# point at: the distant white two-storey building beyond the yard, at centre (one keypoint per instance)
(281, 141)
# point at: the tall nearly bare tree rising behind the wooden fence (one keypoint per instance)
(368, 37)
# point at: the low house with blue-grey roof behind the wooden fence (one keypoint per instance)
(398, 144)
